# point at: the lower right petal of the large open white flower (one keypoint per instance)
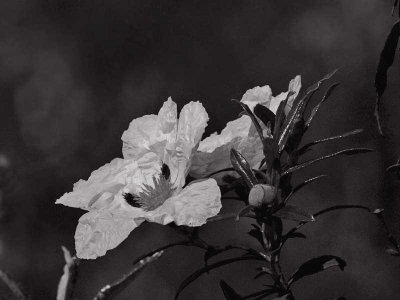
(196, 203)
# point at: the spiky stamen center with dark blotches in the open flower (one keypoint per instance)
(152, 197)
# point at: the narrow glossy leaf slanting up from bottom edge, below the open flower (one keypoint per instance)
(111, 291)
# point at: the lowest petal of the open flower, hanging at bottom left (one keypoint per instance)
(101, 230)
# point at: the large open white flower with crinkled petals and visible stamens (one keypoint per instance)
(148, 184)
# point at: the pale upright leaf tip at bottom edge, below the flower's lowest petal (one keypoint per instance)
(68, 279)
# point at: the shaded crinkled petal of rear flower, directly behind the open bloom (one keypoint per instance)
(214, 152)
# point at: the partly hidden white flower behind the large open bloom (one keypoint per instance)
(213, 153)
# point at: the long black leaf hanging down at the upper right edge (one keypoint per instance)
(385, 62)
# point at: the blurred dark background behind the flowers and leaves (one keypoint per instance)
(73, 74)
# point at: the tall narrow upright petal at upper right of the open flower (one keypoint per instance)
(192, 123)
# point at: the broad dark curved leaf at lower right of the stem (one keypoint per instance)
(316, 265)
